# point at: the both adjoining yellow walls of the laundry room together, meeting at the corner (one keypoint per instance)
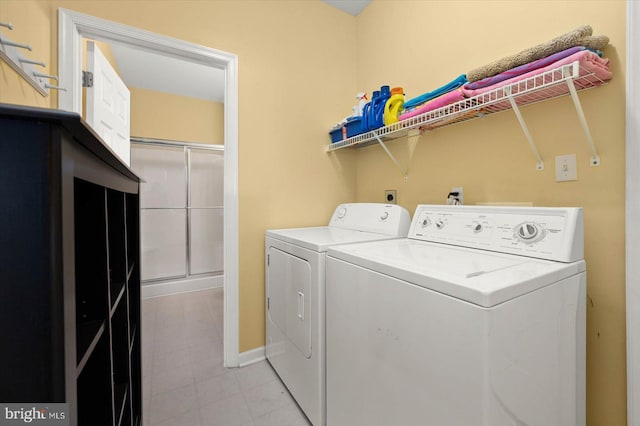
(301, 62)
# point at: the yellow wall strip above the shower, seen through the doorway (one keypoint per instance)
(172, 117)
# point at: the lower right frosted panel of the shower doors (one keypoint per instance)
(206, 241)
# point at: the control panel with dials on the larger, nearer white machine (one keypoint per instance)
(542, 232)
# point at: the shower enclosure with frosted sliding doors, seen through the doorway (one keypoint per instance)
(181, 215)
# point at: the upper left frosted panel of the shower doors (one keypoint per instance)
(163, 170)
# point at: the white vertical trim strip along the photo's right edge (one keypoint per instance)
(633, 214)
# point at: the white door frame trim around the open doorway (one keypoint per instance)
(72, 27)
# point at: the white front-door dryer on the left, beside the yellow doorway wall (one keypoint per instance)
(295, 294)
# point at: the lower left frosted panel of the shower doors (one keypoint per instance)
(164, 243)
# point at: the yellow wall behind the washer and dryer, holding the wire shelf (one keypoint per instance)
(490, 158)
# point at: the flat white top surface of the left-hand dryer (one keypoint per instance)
(320, 238)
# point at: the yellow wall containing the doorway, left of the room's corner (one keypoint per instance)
(296, 76)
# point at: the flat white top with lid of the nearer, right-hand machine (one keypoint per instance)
(479, 277)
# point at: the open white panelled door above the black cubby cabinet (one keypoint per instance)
(108, 107)
